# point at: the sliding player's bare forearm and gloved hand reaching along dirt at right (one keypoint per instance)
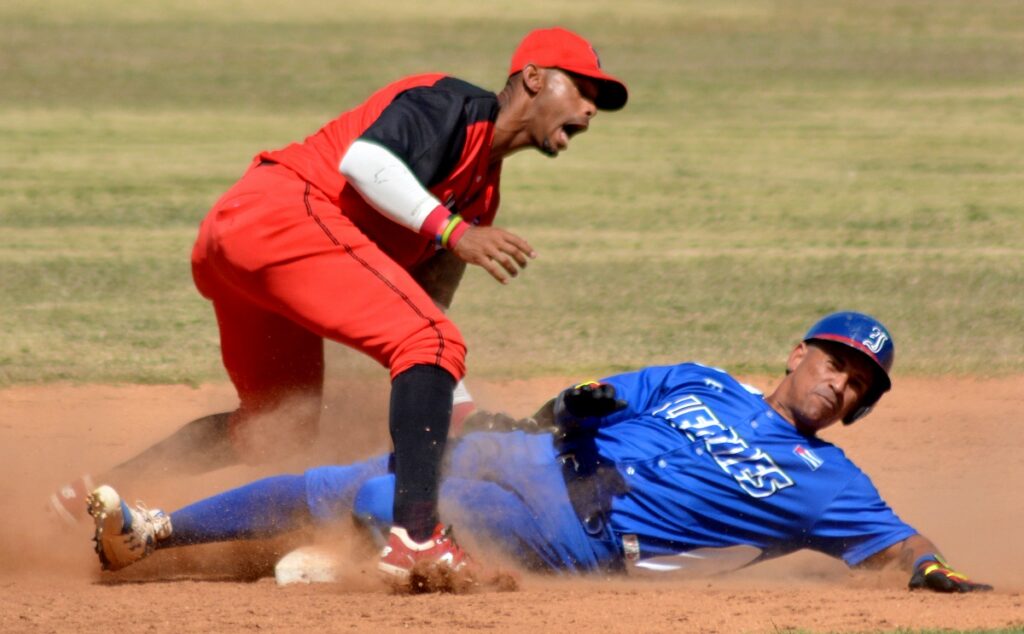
(928, 569)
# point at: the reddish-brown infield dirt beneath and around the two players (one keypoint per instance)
(948, 454)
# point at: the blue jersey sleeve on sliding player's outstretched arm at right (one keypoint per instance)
(859, 524)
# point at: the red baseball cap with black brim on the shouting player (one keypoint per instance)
(561, 49)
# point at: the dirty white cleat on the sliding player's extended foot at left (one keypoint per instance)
(124, 535)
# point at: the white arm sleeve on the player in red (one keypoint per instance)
(388, 184)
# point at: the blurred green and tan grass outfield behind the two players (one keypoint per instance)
(778, 160)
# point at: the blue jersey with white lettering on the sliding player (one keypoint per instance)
(706, 463)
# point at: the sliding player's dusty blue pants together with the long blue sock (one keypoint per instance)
(504, 489)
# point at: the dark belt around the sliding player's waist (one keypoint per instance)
(591, 489)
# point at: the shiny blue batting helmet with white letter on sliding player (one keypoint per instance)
(867, 335)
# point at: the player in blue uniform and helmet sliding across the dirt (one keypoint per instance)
(659, 470)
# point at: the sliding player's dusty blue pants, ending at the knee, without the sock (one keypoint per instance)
(504, 489)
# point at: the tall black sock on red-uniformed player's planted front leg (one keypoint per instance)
(421, 413)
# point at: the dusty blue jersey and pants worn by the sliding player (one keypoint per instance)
(698, 473)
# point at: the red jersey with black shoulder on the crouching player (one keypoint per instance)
(440, 126)
